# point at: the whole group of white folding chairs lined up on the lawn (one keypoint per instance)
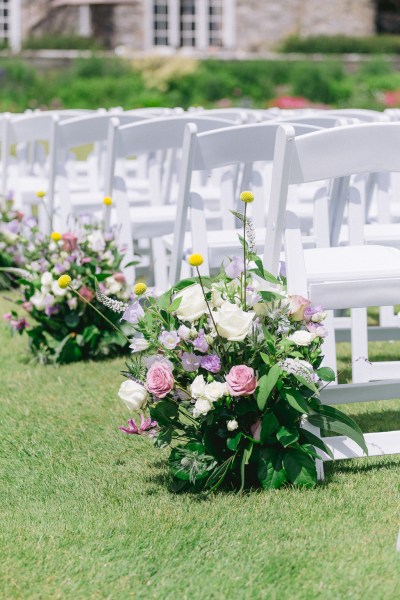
(332, 169)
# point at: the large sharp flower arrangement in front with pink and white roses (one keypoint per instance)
(228, 370)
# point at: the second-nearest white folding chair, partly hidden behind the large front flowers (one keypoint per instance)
(249, 145)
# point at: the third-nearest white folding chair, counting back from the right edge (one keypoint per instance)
(157, 138)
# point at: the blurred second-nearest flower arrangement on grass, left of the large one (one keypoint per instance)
(65, 328)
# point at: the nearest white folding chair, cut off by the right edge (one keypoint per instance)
(354, 276)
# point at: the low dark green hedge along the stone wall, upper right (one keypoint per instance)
(341, 44)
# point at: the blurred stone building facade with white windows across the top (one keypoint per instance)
(193, 25)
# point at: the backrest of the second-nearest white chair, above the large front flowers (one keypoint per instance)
(240, 145)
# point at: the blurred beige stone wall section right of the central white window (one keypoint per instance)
(261, 25)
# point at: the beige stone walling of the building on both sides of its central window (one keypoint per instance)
(260, 24)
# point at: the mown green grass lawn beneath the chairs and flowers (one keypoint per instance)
(86, 511)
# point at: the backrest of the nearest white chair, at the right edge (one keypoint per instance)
(327, 154)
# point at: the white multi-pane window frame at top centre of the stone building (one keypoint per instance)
(202, 34)
